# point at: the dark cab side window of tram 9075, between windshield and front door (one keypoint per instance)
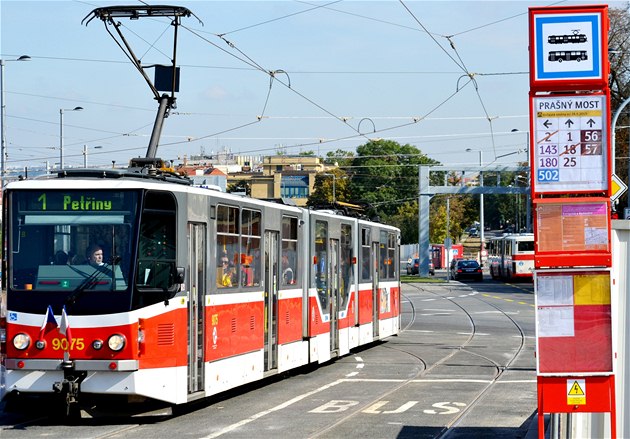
(156, 248)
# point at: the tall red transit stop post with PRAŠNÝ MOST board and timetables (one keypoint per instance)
(571, 159)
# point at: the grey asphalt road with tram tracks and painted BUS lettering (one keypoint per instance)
(463, 367)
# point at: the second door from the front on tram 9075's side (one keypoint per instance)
(271, 300)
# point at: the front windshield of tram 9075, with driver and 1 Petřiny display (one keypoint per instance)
(65, 246)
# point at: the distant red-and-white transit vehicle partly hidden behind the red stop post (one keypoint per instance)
(511, 256)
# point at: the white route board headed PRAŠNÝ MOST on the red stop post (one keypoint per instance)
(570, 150)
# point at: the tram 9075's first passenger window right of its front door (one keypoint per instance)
(227, 246)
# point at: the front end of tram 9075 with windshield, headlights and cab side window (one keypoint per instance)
(72, 321)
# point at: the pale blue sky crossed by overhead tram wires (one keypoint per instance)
(443, 76)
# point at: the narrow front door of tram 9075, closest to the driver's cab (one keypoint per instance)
(197, 273)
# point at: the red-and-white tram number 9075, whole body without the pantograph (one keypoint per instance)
(199, 291)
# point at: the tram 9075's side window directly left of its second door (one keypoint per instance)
(249, 258)
